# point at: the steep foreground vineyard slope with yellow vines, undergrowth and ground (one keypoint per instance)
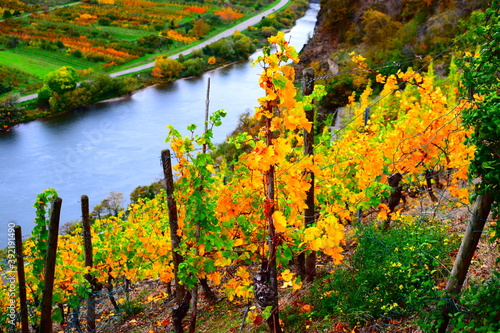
(391, 193)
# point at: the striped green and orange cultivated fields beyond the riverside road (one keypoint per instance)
(102, 35)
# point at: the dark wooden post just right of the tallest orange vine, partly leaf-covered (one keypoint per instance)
(307, 264)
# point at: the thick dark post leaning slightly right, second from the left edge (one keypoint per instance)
(50, 265)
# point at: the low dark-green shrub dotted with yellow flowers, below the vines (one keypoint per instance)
(392, 274)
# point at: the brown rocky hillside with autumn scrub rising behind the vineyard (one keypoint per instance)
(392, 35)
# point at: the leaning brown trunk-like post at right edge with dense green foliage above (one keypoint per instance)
(482, 116)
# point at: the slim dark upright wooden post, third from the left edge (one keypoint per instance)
(87, 246)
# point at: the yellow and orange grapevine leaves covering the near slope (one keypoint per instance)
(251, 221)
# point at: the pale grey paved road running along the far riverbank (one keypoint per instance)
(240, 27)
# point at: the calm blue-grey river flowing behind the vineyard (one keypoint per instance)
(115, 146)
